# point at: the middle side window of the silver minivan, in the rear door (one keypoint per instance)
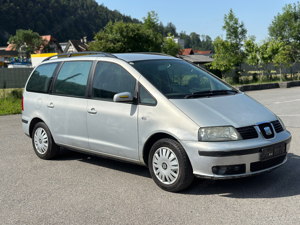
(72, 78)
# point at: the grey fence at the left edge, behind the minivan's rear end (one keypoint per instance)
(14, 77)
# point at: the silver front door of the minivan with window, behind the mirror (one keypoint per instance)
(112, 126)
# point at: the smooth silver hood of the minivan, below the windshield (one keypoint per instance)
(235, 110)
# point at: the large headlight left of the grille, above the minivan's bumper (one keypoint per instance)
(218, 134)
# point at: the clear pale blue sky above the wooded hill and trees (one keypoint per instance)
(204, 17)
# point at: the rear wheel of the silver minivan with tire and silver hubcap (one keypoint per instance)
(42, 141)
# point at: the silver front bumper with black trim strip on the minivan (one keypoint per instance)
(206, 155)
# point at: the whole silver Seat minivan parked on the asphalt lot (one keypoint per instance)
(154, 110)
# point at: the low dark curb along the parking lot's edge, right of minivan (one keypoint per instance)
(255, 87)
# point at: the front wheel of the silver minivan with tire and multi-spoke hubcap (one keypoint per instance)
(170, 166)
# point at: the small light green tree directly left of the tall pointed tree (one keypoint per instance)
(224, 59)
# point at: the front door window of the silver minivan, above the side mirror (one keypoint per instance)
(111, 79)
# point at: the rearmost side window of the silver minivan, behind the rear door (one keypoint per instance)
(41, 77)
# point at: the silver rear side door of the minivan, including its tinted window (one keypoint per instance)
(67, 105)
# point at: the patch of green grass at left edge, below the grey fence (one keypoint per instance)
(10, 101)
